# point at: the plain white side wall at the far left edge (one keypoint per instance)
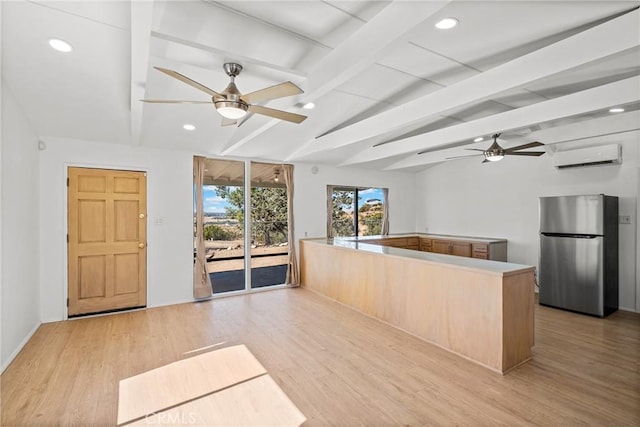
(19, 227)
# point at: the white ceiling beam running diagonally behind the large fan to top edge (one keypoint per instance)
(356, 54)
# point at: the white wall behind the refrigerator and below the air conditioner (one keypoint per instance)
(501, 200)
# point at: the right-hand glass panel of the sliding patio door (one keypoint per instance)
(269, 232)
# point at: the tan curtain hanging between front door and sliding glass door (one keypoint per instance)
(202, 287)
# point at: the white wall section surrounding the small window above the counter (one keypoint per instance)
(310, 203)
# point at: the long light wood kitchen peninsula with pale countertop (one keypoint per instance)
(481, 310)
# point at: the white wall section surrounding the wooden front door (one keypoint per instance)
(169, 226)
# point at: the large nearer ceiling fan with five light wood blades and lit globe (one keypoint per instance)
(231, 103)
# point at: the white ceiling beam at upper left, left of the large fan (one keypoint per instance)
(141, 18)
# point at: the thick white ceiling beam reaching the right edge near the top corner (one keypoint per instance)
(609, 38)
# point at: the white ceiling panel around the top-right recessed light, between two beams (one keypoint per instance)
(493, 32)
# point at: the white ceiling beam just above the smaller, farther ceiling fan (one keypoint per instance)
(587, 101)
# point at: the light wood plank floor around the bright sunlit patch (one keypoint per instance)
(337, 366)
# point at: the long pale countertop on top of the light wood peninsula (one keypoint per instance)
(504, 268)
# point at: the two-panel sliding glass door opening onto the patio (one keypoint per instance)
(231, 237)
